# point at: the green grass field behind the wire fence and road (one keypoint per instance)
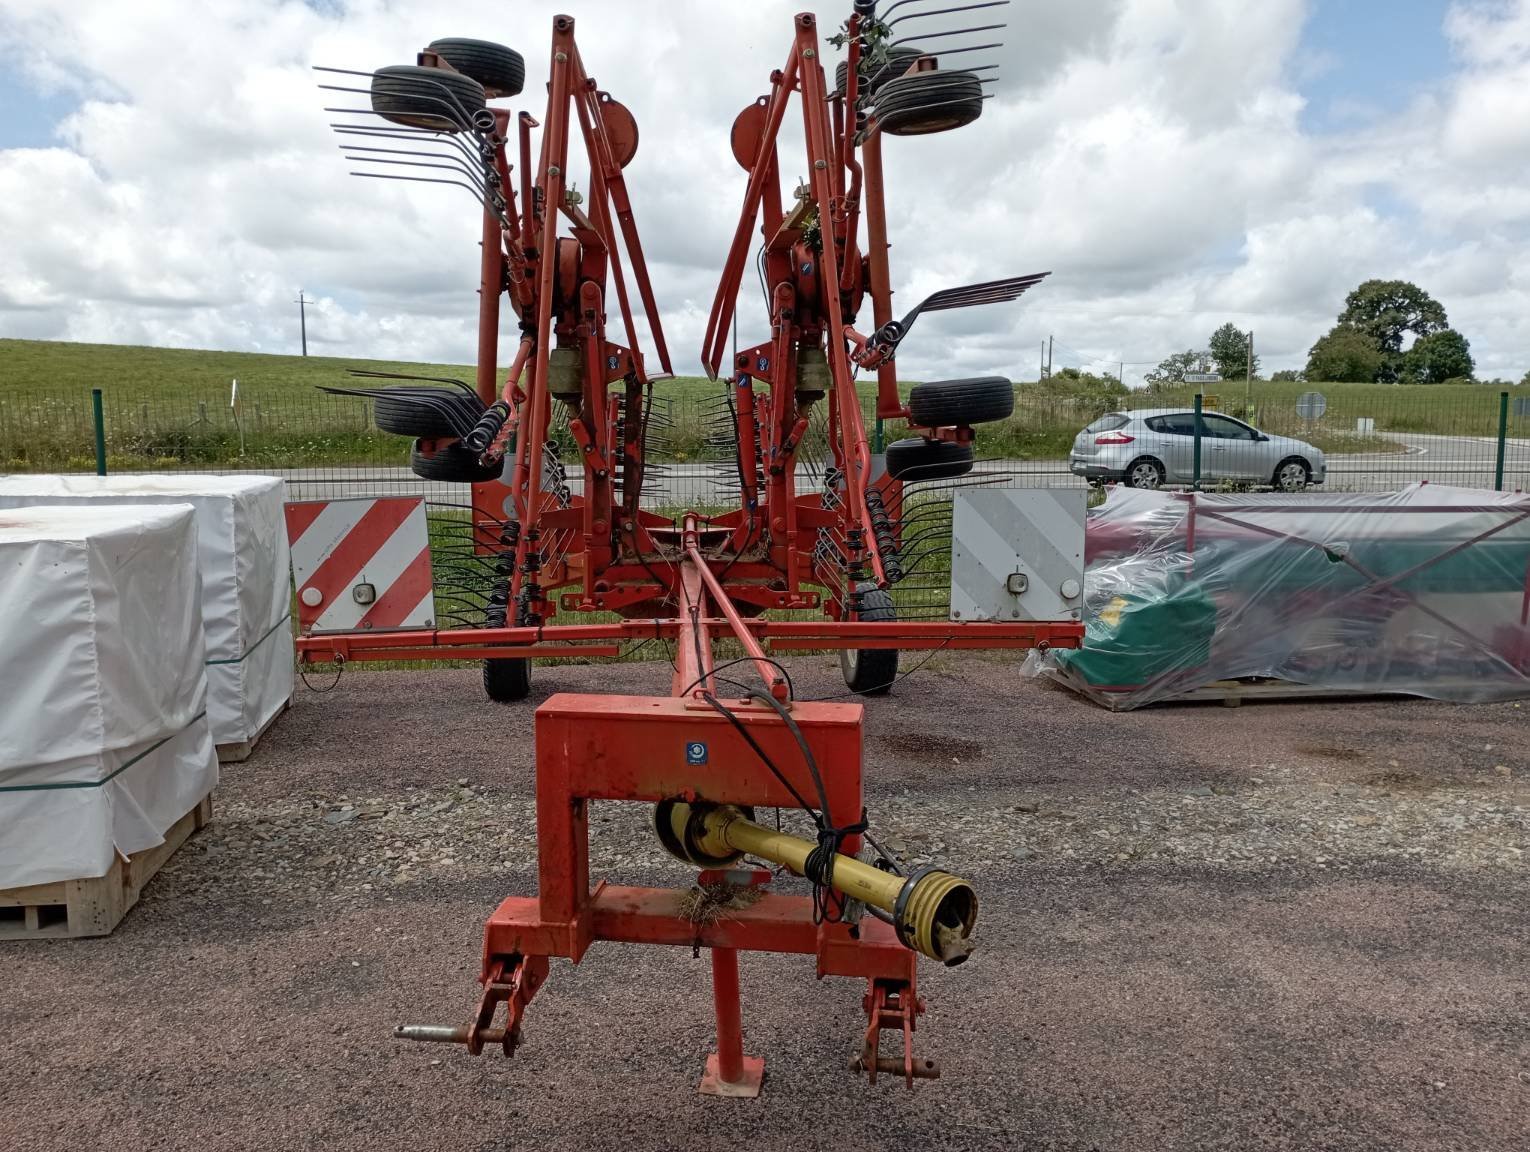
(171, 408)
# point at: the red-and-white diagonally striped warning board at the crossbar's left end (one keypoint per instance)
(362, 565)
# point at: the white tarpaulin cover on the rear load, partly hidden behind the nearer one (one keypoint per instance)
(246, 600)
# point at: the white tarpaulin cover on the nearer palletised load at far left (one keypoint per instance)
(103, 688)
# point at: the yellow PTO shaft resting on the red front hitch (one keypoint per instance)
(934, 913)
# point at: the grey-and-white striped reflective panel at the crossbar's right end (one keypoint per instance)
(1018, 555)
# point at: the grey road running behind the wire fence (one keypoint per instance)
(1462, 461)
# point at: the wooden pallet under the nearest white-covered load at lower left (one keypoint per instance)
(97, 905)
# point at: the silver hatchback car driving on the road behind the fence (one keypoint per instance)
(1153, 447)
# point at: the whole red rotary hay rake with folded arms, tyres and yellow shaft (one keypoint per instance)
(715, 750)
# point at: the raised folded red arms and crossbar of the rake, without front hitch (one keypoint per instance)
(604, 553)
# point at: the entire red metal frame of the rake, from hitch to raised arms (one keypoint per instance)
(689, 579)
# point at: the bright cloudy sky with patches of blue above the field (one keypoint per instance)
(168, 175)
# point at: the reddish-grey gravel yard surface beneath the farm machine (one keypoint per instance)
(1284, 926)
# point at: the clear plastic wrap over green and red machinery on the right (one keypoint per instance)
(1425, 591)
